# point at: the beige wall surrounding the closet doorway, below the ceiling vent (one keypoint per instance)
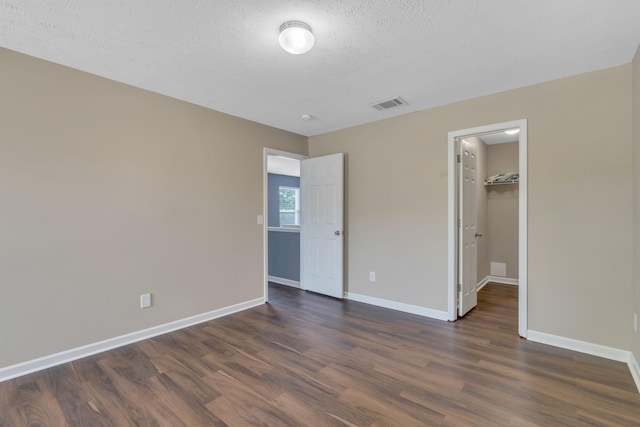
(579, 216)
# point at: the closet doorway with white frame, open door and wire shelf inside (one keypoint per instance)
(487, 214)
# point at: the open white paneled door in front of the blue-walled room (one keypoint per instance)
(321, 229)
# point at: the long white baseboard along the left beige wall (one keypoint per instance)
(45, 362)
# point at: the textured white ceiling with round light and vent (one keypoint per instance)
(224, 54)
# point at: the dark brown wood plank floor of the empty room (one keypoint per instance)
(309, 360)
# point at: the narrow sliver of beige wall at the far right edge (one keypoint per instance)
(636, 198)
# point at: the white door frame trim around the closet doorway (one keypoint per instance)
(452, 230)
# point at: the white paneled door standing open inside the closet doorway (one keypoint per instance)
(468, 262)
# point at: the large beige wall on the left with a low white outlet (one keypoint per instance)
(110, 191)
